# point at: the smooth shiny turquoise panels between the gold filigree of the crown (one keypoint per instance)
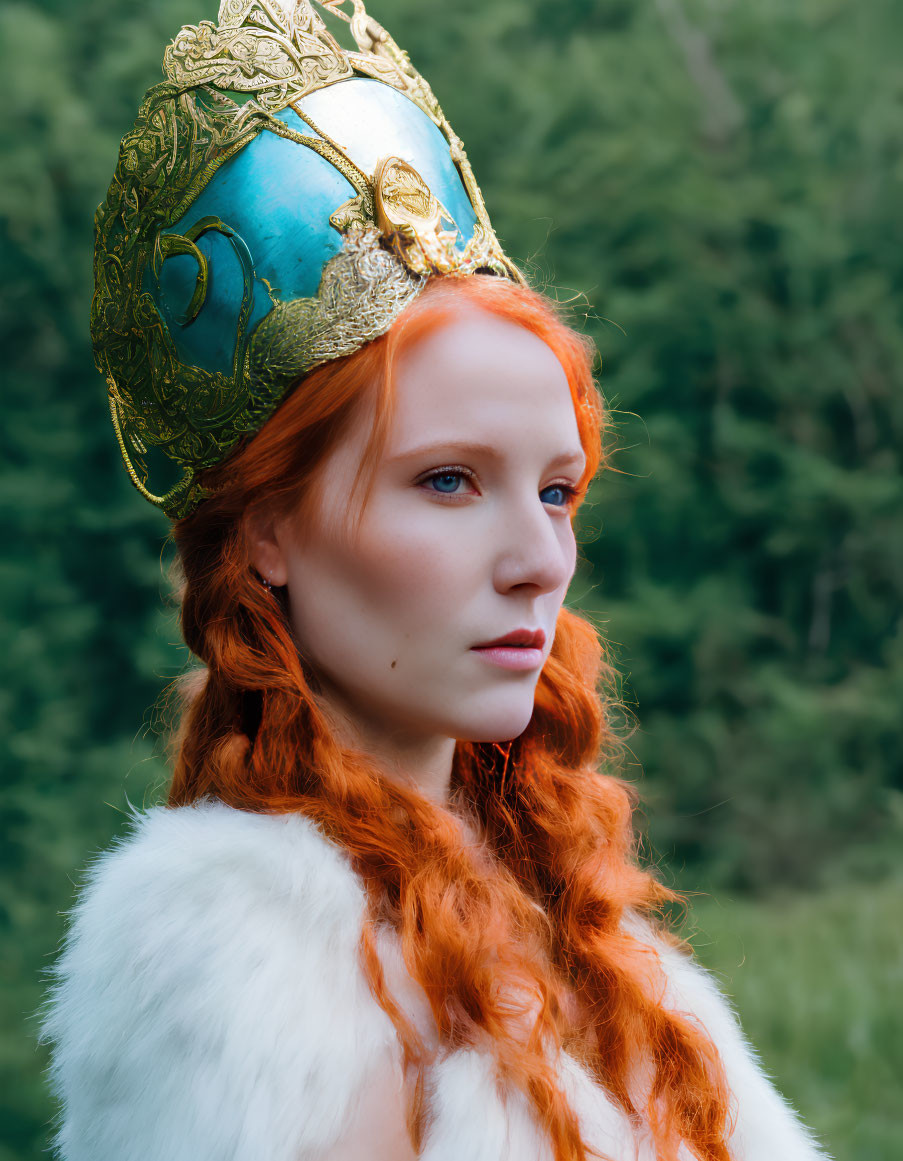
(278, 197)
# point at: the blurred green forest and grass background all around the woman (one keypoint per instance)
(718, 186)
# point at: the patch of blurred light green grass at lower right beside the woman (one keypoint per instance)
(825, 1014)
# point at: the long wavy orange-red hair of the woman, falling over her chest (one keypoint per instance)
(502, 933)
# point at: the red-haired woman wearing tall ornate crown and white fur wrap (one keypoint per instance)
(392, 908)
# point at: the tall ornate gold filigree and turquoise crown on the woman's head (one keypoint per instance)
(277, 206)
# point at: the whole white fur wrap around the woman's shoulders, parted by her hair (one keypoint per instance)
(210, 1006)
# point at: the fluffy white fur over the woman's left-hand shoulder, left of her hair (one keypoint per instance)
(210, 1000)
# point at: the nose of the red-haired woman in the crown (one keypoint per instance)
(534, 547)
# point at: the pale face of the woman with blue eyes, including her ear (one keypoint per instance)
(466, 537)
